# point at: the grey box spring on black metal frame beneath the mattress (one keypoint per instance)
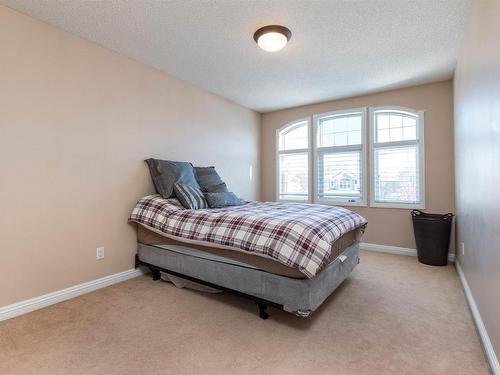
(297, 296)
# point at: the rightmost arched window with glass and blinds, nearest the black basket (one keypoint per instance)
(397, 157)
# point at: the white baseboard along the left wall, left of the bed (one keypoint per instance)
(23, 307)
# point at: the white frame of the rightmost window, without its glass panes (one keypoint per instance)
(420, 149)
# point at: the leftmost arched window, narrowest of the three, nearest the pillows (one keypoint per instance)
(293, 161)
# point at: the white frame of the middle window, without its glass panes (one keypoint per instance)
(362, 202)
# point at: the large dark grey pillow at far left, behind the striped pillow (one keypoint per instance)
(166, 173)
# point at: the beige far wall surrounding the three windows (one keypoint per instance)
(386, 226)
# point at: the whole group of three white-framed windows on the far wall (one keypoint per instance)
(326, 163)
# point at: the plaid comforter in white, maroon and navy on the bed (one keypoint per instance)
(299, 235)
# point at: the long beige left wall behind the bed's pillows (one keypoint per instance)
(76, 122)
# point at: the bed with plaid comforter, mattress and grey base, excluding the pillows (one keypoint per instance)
(290, 256)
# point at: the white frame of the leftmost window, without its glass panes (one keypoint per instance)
(307, 120)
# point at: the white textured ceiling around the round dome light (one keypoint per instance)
(338, 48)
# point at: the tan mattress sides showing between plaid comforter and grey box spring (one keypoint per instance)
(148, 237)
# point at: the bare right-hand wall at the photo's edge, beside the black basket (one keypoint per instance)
(477, 145)
